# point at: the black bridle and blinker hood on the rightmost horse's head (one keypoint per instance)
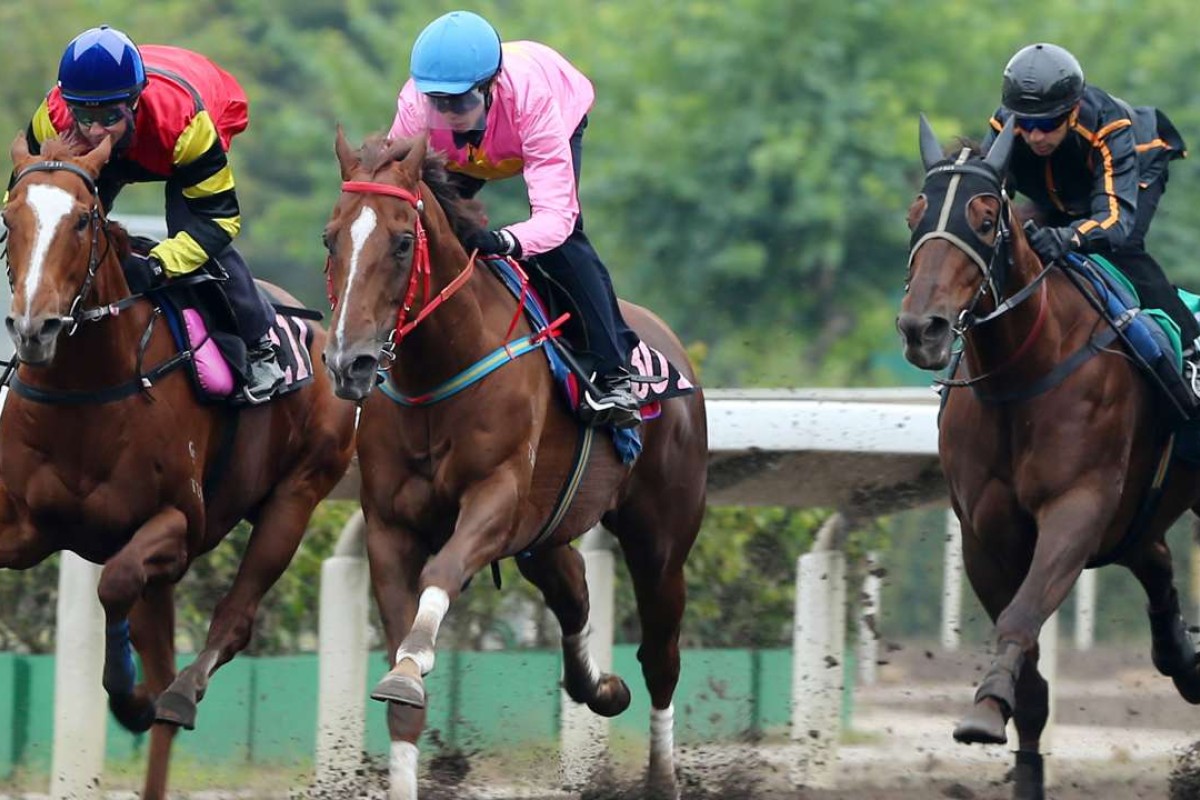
(946, 219)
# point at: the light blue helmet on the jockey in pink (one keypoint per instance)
(455, 53)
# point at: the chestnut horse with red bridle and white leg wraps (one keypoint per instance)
(454, 486)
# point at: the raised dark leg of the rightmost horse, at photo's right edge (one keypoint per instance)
(1173, 651)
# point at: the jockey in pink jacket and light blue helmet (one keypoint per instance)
(520, 109)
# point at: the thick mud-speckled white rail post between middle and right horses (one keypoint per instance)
(819, 643)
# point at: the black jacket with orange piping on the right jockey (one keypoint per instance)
(1091, 182)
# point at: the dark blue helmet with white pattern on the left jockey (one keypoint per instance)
(101, 65)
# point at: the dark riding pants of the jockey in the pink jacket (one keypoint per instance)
(597, 329)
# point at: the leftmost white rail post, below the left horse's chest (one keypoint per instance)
(80, 701)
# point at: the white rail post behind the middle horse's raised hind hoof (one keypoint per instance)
(585, 735)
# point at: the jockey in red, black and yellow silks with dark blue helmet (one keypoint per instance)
(171, 115)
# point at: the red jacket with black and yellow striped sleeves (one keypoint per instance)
(185, 119)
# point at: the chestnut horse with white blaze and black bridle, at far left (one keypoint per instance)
(134, 473)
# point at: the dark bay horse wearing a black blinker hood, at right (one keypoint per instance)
(1053, 449)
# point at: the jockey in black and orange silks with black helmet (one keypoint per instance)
(1094, 166)
